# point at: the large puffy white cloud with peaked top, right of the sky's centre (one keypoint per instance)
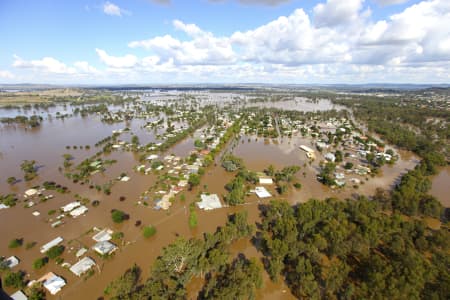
(293, 40)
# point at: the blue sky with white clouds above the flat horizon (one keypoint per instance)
(224, 41)
